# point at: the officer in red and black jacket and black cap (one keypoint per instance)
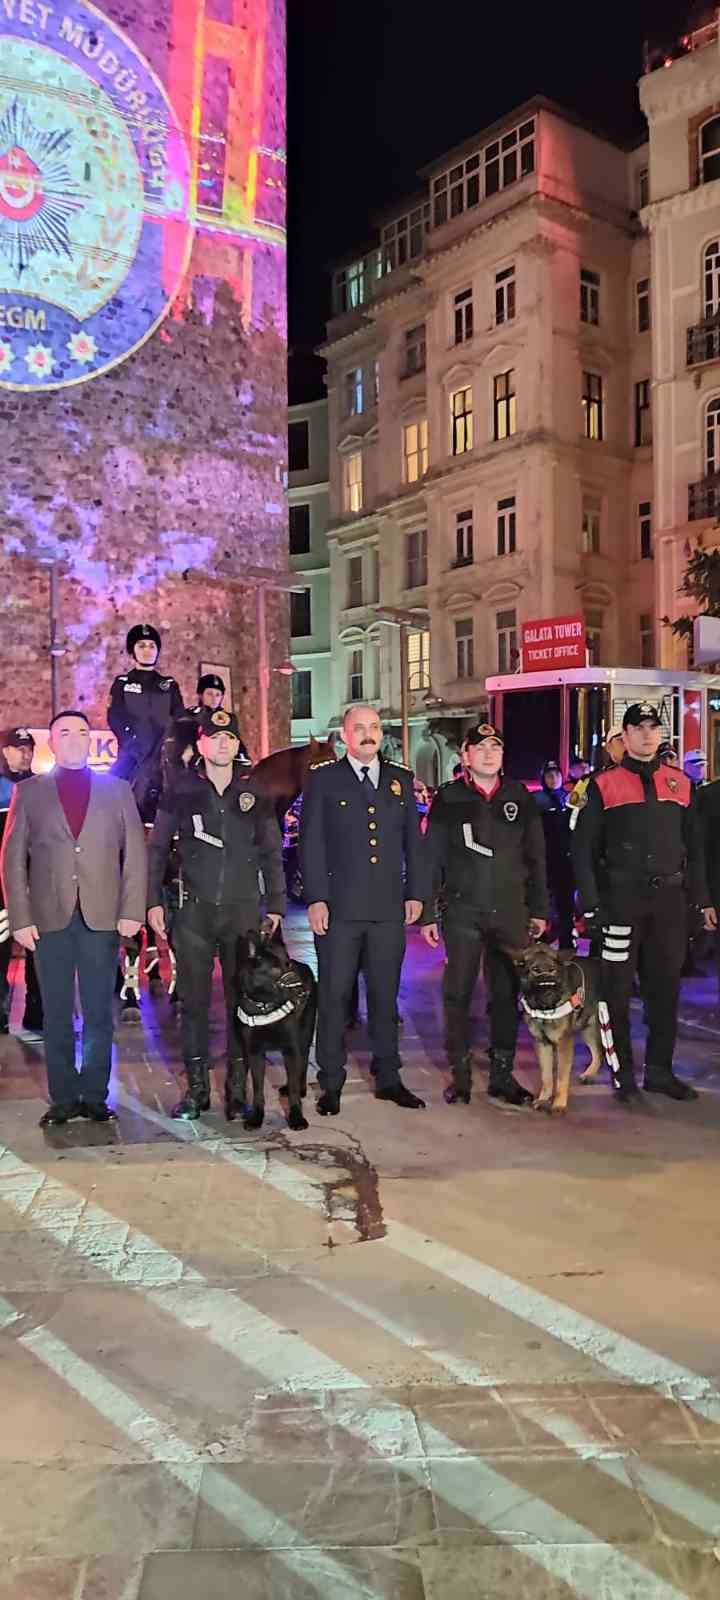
(638, 855)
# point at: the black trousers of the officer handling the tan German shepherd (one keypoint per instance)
(468, 938)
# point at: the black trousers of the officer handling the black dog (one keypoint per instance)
(201, 932)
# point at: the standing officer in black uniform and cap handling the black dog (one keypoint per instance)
(225, 838)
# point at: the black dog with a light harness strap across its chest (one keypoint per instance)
(278, 1007)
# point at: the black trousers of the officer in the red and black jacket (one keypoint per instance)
(649, 930)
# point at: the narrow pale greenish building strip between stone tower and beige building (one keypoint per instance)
(310, 561)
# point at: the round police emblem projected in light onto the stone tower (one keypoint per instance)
(95, 228)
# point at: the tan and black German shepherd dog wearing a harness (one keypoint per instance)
(559, 998)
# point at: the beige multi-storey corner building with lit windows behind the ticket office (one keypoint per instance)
(490, 423)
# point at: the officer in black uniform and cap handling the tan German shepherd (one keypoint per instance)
(489, 873)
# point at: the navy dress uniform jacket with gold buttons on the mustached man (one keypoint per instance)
(361, 850)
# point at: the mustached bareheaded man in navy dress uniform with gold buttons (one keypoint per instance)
(362, 870)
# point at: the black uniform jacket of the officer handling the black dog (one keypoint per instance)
(223, 841)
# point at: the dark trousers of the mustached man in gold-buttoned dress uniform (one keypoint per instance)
(378, 948)
